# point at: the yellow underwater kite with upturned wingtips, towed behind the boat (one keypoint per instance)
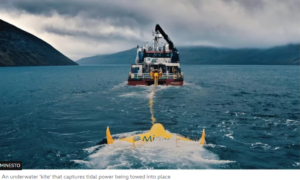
(157, 132)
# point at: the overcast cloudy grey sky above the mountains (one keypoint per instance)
(91, 27)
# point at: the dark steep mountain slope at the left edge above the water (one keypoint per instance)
(20, 48)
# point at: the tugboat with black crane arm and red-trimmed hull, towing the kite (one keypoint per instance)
(155, 64)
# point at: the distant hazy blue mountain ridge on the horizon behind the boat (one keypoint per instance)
(280, 55)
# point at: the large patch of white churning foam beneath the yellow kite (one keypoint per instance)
(165, 154)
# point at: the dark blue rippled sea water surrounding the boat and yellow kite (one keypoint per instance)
(54, 117)
